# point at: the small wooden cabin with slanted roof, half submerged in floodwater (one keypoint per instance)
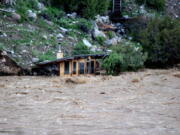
(73, 66)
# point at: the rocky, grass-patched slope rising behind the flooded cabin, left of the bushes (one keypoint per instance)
(39, 39)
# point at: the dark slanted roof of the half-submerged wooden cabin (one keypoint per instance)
(95, 56)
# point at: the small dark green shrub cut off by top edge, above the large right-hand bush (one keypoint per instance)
(156, 4)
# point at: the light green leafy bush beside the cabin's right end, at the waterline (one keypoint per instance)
(124, 57)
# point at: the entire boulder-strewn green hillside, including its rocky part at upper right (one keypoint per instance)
(33, 31)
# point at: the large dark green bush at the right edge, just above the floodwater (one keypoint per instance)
(161, 40)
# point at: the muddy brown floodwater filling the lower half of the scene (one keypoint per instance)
(143, 103)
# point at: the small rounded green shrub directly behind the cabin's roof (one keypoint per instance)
(80, 48)
